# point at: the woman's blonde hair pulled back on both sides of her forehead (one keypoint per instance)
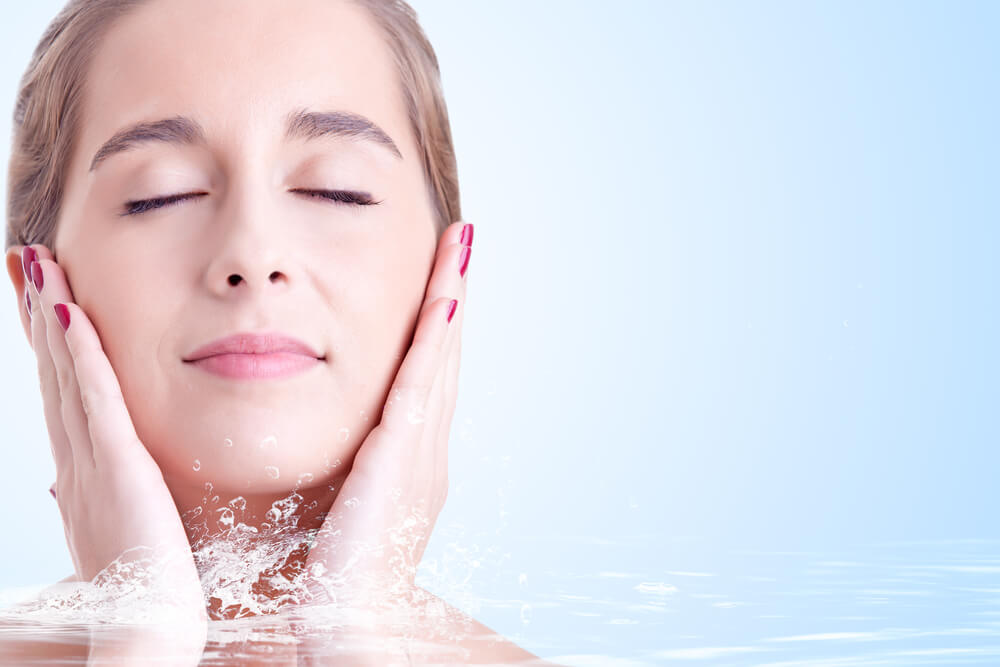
(48, 111)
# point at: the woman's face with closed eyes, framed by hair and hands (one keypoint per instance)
(252, 251)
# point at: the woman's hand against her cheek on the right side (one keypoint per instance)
(375, 534)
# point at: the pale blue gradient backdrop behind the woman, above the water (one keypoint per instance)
(734, 284)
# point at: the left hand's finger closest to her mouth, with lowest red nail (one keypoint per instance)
(109, 425)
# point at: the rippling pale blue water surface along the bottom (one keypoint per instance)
(618, 601)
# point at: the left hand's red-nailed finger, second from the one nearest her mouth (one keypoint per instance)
(49, 275)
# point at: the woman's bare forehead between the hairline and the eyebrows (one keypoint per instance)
(239, 67)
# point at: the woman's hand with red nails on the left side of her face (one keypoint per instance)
(110, 491)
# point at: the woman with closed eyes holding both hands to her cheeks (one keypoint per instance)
(233, 227)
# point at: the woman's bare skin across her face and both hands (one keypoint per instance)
(135, 429)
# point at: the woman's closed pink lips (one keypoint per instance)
(255, 356)
